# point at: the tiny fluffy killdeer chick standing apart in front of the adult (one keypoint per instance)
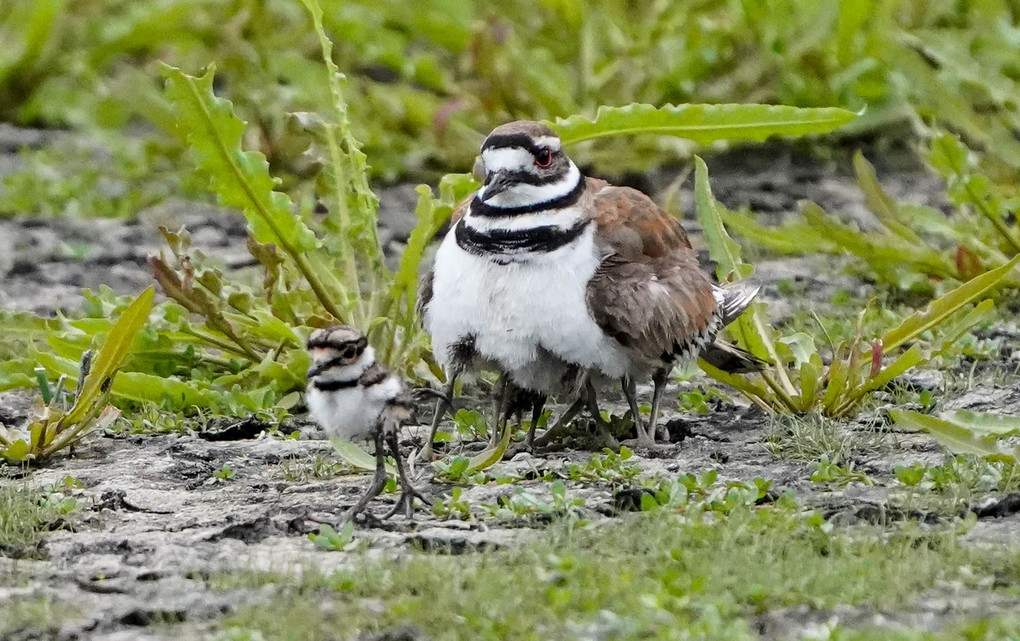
(353, 398)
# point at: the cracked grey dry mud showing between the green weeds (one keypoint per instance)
(156, 523)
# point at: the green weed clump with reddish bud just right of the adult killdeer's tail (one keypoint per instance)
(799, 380)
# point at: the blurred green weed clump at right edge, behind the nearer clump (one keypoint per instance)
(914, 248)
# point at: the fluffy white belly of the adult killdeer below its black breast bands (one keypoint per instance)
(515, 310)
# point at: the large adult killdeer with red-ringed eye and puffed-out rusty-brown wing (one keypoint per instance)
(548, 275)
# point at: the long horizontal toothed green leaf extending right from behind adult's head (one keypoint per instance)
(702, 123)
